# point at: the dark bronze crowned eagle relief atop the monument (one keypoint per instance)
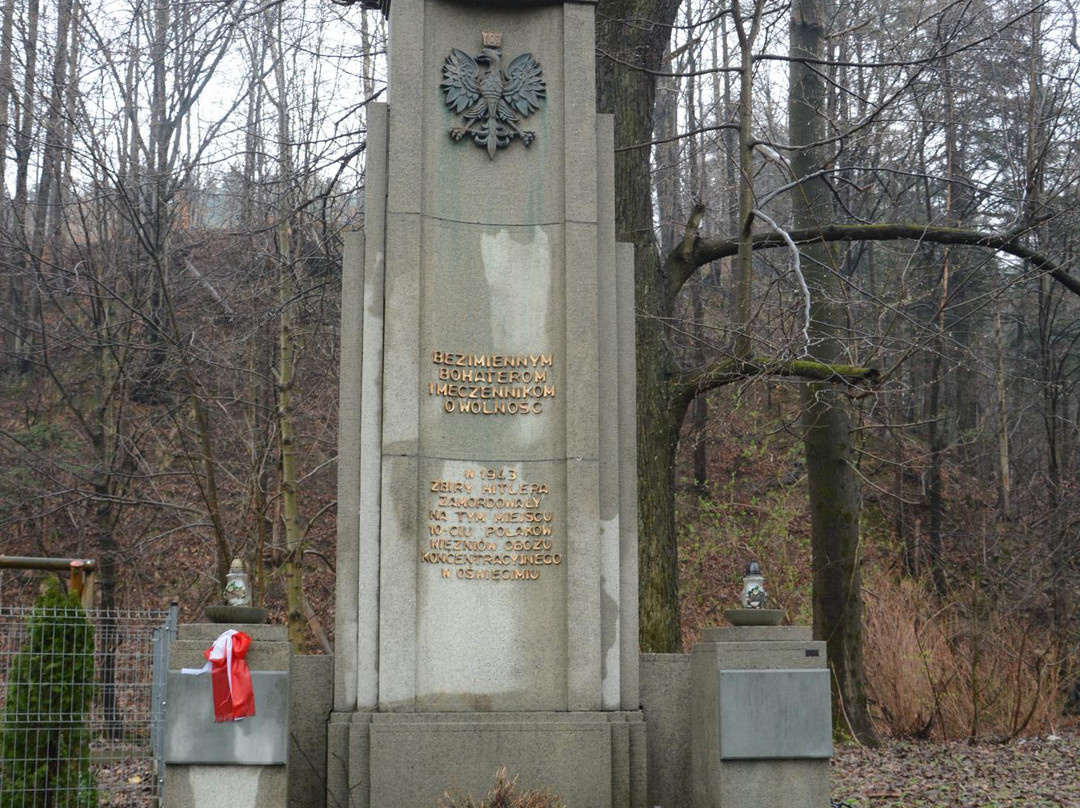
(493, 100)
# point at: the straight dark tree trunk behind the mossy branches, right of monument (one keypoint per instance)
(833, 489)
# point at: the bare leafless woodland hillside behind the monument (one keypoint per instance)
(175, 181)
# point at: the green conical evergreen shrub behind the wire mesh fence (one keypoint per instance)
(45, 745)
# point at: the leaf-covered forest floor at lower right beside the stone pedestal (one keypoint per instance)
(1033, 773)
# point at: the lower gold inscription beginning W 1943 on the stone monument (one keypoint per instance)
(491, 526)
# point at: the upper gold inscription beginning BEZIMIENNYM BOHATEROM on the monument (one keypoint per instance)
(492, 384)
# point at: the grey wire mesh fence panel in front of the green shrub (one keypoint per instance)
(83, 707)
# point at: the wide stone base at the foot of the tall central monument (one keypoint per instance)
(410, 760)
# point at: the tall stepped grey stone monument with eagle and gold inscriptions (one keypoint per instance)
(488, 548)
